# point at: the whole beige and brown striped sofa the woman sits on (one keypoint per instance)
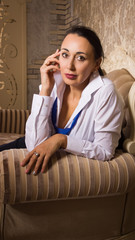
(77, 198)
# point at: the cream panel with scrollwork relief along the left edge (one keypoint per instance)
(11, 66)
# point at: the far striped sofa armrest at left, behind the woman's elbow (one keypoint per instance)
(13, 121)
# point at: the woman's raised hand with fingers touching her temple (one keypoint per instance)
(50, 65)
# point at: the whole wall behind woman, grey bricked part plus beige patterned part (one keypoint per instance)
(113, 20)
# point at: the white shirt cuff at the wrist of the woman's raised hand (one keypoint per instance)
(41, 105)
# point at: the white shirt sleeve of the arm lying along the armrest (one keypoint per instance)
(107, 130)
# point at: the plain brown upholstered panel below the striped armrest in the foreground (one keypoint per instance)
(75, 219)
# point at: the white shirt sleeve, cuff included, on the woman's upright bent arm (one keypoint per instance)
(38, 127)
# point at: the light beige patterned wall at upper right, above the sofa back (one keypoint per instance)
(113, 20)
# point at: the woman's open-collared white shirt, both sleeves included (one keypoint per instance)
(98, 128)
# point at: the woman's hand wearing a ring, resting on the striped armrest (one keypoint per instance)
(38, 158)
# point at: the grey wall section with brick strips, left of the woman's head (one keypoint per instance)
(47, 22)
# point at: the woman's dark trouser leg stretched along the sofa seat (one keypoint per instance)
(18, 143)
